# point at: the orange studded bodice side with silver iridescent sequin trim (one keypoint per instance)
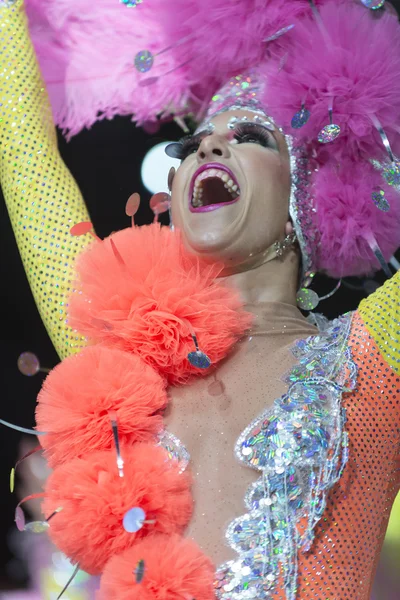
(314, 525)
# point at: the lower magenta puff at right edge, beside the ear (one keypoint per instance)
(346, 215)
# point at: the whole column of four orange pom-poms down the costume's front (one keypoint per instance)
(139, 298)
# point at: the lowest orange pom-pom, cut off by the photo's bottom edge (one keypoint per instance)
(159, 568)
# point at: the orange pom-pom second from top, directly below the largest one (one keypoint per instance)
(78, 395)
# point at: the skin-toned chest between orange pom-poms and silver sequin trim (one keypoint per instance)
(209, 415)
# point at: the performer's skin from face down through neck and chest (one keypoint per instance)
(209, 414)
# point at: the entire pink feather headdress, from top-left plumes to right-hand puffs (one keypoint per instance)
(330, 72)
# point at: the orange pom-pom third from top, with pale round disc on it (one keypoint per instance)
(94, 500)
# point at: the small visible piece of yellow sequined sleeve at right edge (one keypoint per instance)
(381, 315)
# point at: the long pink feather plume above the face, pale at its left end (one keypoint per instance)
(97, 43)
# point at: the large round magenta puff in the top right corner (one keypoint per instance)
(358, 66)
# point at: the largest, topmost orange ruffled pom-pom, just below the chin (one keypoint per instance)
(142, 292)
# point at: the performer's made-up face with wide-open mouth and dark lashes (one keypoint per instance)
(230, 196)
